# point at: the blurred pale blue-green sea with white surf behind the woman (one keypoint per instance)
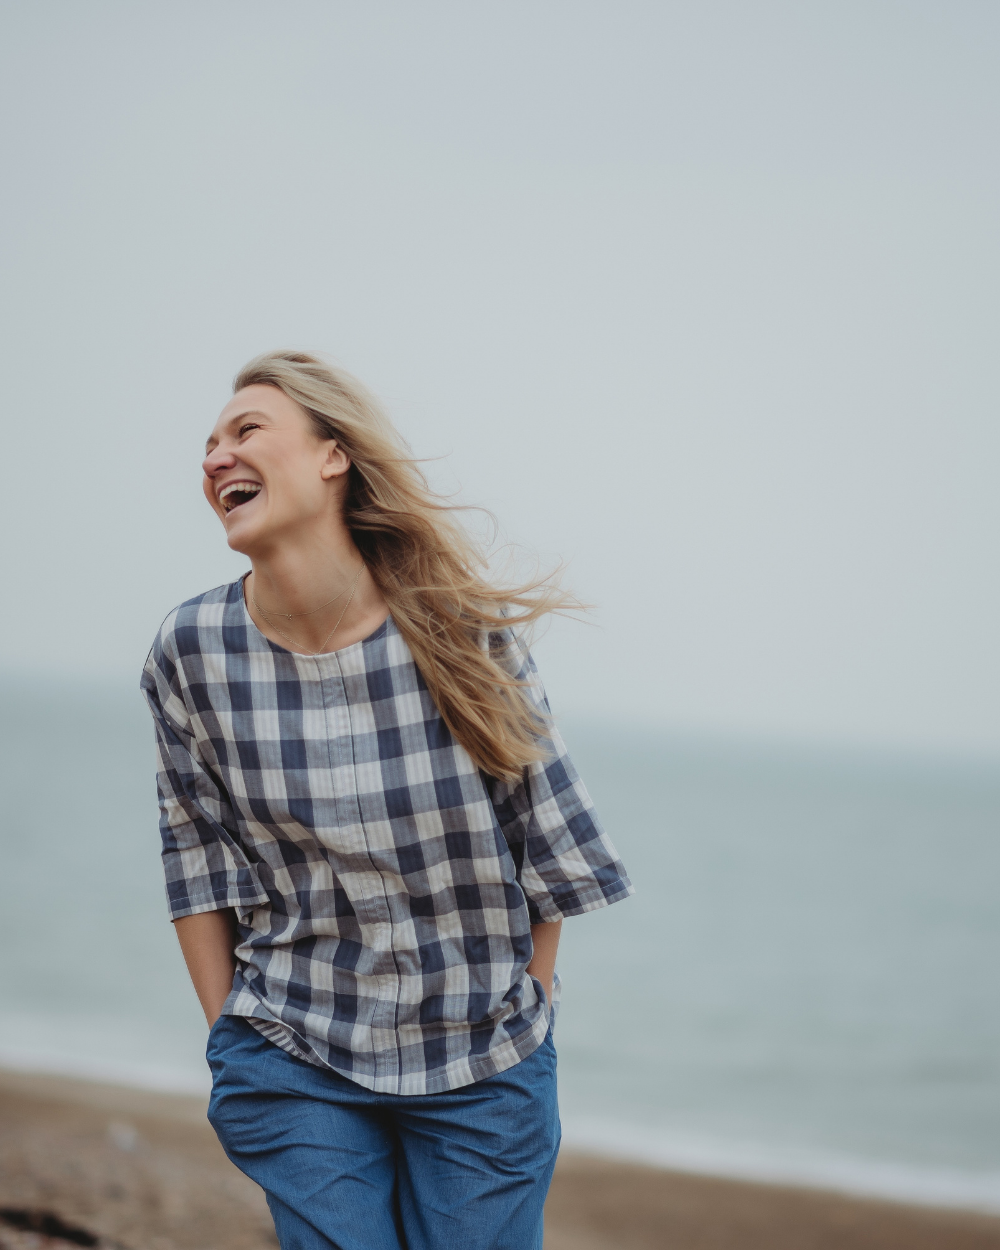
(804, 988)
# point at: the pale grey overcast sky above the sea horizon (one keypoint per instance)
(701, 299)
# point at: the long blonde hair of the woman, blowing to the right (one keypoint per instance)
(427, 567)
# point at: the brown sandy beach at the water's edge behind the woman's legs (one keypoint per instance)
(122, 1169)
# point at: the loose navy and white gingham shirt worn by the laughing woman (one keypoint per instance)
(384, 887)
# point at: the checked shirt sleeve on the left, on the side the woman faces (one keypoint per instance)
(204, 866)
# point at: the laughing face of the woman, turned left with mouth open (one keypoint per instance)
(268, 476)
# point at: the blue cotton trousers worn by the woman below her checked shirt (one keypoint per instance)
(347, 1169)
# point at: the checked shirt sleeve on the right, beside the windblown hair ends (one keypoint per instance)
(567, 862)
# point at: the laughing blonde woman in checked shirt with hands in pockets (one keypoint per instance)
(372, 834)
